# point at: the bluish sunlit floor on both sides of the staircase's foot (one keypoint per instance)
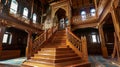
(97, 61)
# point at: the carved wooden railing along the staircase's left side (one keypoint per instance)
(42, 38)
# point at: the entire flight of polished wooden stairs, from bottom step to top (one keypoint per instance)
(55, 53)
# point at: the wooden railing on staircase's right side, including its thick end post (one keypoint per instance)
(77, 44)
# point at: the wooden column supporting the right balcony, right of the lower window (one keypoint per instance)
(102, 39)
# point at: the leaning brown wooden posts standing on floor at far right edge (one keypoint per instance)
(116, 50)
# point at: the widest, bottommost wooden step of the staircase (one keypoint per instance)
(77, 63)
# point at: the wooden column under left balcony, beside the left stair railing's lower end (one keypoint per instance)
(29, 45)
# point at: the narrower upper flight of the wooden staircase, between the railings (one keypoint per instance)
(58, 40)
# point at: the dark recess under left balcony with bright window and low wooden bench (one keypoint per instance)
(14, 43)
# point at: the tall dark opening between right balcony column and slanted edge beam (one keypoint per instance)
(108, 29)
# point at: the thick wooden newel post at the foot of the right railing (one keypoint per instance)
(84, 48)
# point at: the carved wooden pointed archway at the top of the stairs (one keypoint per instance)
(65, 5)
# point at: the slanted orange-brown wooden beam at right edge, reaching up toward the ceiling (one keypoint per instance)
(115, 23)
